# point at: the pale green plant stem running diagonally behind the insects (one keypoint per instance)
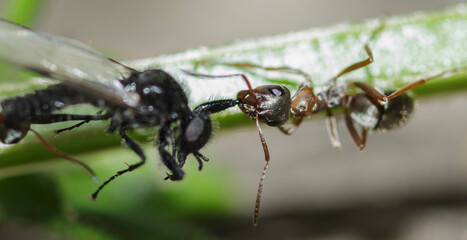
(407, 48)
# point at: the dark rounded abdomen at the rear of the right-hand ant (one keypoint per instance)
(396, 111)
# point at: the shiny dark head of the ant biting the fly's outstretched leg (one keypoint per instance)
(270, 102)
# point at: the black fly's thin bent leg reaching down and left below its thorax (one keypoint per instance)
(133, 146)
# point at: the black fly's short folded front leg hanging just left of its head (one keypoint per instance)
(167, 158)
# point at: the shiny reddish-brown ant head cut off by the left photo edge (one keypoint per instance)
(11, 133)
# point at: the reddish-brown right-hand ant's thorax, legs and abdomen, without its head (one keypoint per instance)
(370, 109)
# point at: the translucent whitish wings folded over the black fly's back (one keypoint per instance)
(66, 60)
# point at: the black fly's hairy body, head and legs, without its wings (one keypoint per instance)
(162, 103)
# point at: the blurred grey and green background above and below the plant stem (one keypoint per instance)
(407, 184)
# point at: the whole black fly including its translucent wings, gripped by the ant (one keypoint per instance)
(129, 98)
